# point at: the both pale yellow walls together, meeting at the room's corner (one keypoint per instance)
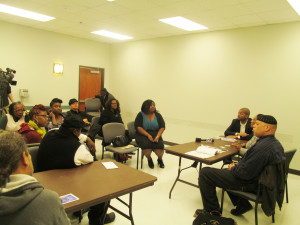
(198, 81)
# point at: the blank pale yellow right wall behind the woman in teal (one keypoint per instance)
(200, 81)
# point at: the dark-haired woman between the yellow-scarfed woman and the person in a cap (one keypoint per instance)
(55, 113)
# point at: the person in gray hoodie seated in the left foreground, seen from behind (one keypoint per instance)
(23, 199)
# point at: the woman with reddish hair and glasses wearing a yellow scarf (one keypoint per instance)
(34, 130)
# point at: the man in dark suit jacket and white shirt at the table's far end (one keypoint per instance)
(240, 127)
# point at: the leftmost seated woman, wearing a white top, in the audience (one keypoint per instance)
(13, 120)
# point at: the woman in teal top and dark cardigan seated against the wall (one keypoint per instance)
(150, 125)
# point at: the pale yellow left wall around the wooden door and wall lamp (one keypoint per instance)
(32, 52)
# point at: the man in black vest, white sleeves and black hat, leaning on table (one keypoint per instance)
(63, 149)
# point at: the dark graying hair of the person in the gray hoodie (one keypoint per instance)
(12, 145)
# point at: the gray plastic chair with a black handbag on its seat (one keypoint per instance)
(110, 131)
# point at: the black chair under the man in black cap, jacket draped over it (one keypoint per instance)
(257, 198)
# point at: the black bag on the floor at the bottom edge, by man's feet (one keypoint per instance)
(208, 219)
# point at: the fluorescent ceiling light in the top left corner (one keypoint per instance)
(24, 13)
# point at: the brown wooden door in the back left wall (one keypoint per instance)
(90, 83)
